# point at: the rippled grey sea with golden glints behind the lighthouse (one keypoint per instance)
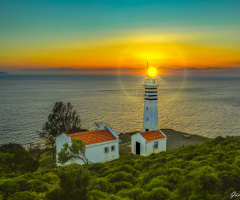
(202, 105)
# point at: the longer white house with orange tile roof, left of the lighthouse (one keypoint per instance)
(101, 145)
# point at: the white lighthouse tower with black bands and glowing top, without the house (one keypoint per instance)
(150, 115)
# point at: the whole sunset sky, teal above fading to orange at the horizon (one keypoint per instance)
(109, 37)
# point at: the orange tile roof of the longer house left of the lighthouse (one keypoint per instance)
(92, 137)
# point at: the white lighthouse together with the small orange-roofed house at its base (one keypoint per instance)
(151, 139)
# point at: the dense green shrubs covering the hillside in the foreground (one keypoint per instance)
(208, 171)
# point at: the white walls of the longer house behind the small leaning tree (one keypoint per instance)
(94, 152)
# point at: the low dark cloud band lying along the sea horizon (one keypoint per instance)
(231, 69)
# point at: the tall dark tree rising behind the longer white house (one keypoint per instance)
(63, 119)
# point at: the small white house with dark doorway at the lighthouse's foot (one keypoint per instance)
(146, 143)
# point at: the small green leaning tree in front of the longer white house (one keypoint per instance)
(77, 151)
